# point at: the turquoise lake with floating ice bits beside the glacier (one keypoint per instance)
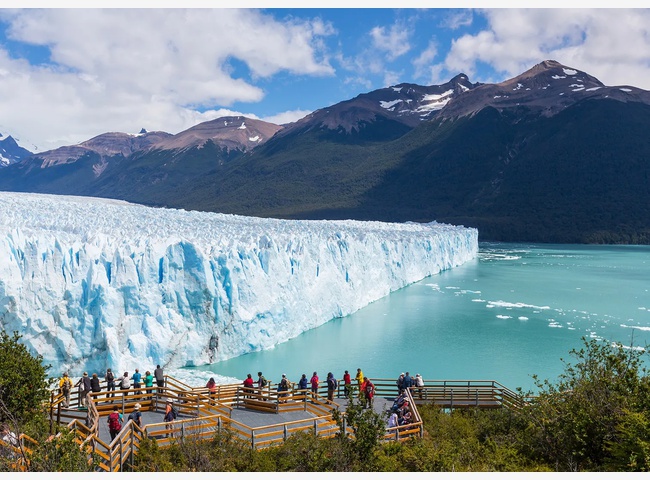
(514, 311)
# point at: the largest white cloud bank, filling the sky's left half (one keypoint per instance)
(152, 68)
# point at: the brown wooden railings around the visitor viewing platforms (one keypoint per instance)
(204, 413)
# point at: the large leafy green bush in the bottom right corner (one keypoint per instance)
(595, 418)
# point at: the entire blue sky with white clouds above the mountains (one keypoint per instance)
(68, 74)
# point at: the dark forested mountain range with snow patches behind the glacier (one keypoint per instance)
(551, 155)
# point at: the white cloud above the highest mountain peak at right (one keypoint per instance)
(611, 44)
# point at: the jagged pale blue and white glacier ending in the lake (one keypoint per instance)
(94, 283)
